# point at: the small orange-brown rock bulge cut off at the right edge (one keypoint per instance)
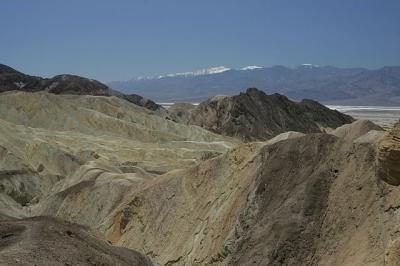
(389, 156)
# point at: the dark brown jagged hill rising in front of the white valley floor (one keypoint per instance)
(253, 115)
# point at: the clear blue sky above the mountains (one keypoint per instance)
(117, 40)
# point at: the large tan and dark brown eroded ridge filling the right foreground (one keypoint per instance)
(244, 208)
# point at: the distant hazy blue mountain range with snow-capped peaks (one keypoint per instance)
(327, 84)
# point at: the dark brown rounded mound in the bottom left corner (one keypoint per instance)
(49, 241)
